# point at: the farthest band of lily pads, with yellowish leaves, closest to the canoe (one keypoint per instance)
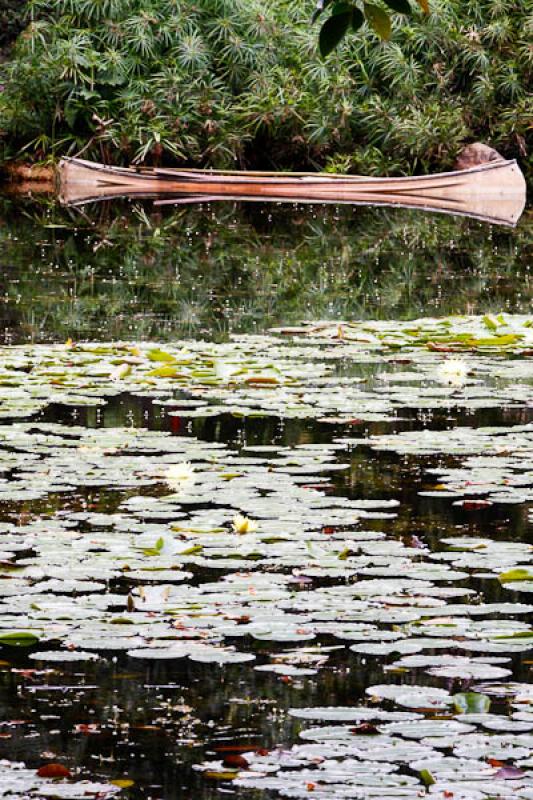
(301, 377)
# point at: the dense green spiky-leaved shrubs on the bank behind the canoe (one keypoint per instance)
(225, 81)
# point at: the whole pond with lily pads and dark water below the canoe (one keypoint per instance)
(266, 503)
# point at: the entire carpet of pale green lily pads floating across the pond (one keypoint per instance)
(251, 556)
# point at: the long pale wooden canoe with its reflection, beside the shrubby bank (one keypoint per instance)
(494, 192)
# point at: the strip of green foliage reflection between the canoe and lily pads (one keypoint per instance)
(133, 272)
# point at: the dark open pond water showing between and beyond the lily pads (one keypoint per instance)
(128, 272)
